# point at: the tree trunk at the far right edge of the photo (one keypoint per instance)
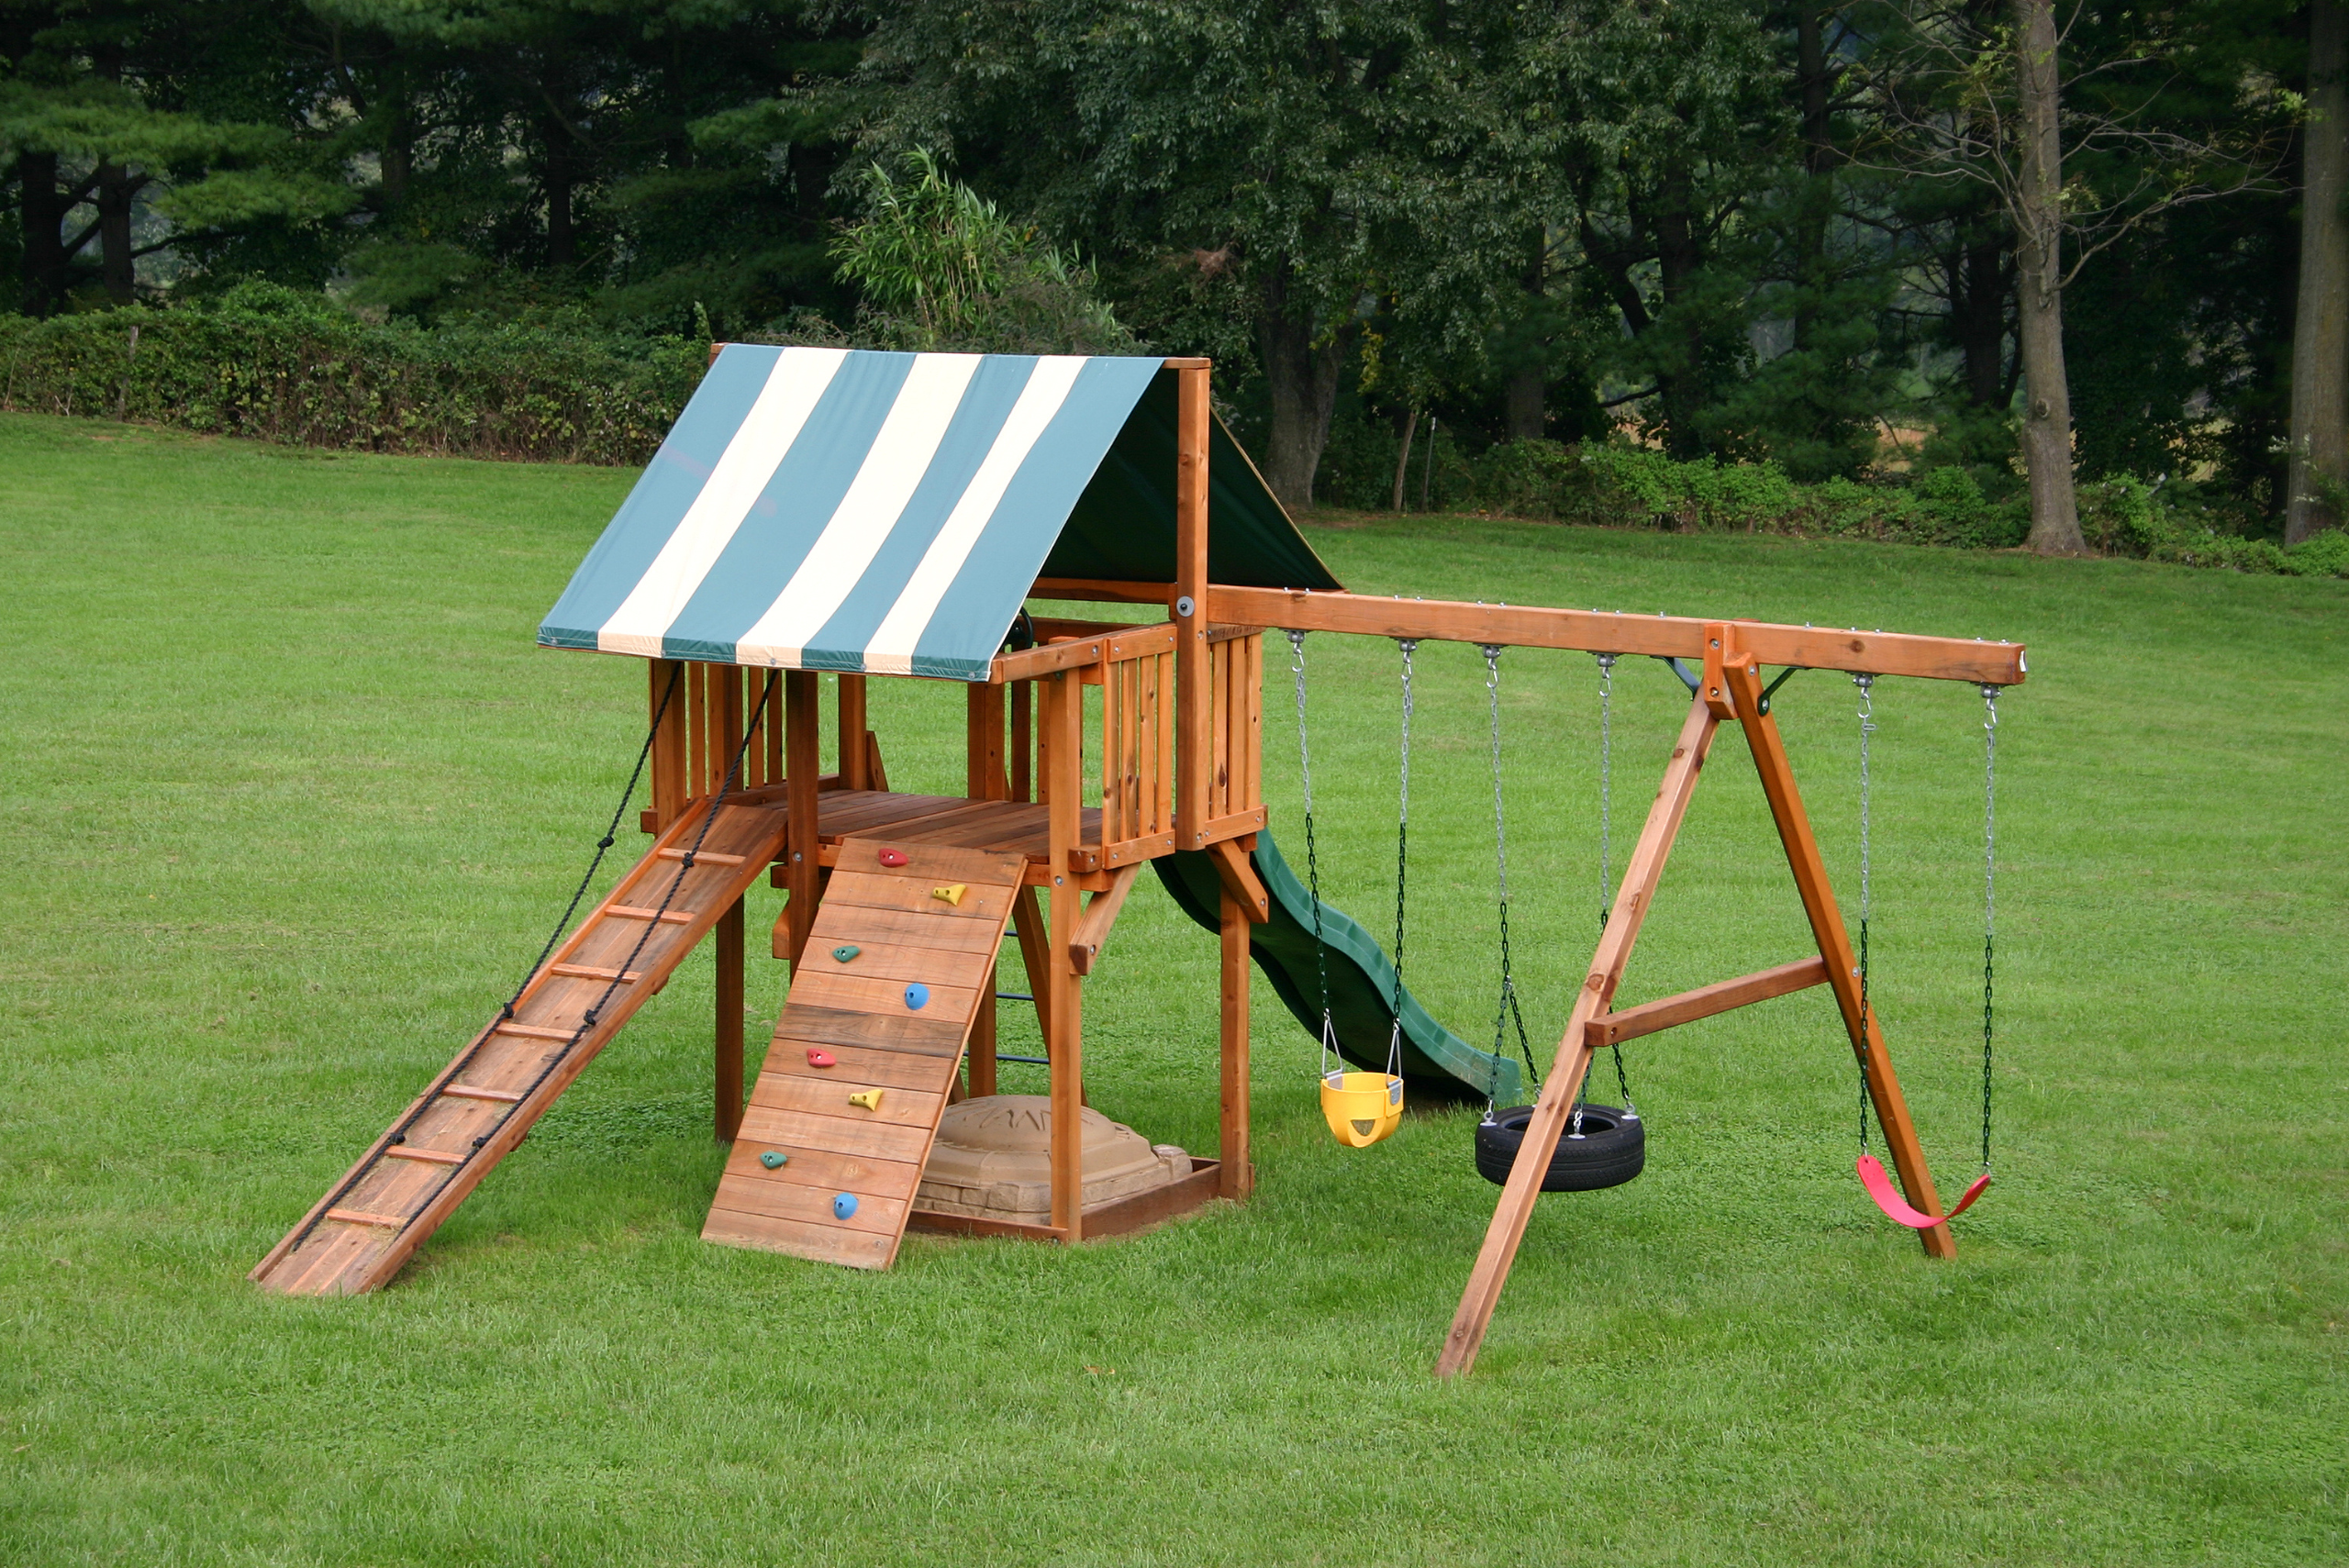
(2322, 327)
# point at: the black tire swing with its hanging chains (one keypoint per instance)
(1603, 1144)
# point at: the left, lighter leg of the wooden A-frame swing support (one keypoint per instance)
(1641, 877)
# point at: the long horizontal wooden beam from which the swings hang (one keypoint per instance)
(1678, 637)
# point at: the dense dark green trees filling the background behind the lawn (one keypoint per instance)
(1735, 231)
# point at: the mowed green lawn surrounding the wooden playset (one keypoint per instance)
(292, 799)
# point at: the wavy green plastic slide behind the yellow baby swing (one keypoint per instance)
(1361, 980)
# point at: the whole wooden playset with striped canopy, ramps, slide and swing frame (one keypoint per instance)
(889, 518)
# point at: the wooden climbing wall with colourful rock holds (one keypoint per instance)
(856, 1013)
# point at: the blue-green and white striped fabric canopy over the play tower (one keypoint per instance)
(889, 513)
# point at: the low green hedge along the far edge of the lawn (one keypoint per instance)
(292, 367)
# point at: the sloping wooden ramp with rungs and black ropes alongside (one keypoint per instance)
(487, 1100)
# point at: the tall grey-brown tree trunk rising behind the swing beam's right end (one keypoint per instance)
(2047, 421)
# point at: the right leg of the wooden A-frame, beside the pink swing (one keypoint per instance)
(1836, 947)
